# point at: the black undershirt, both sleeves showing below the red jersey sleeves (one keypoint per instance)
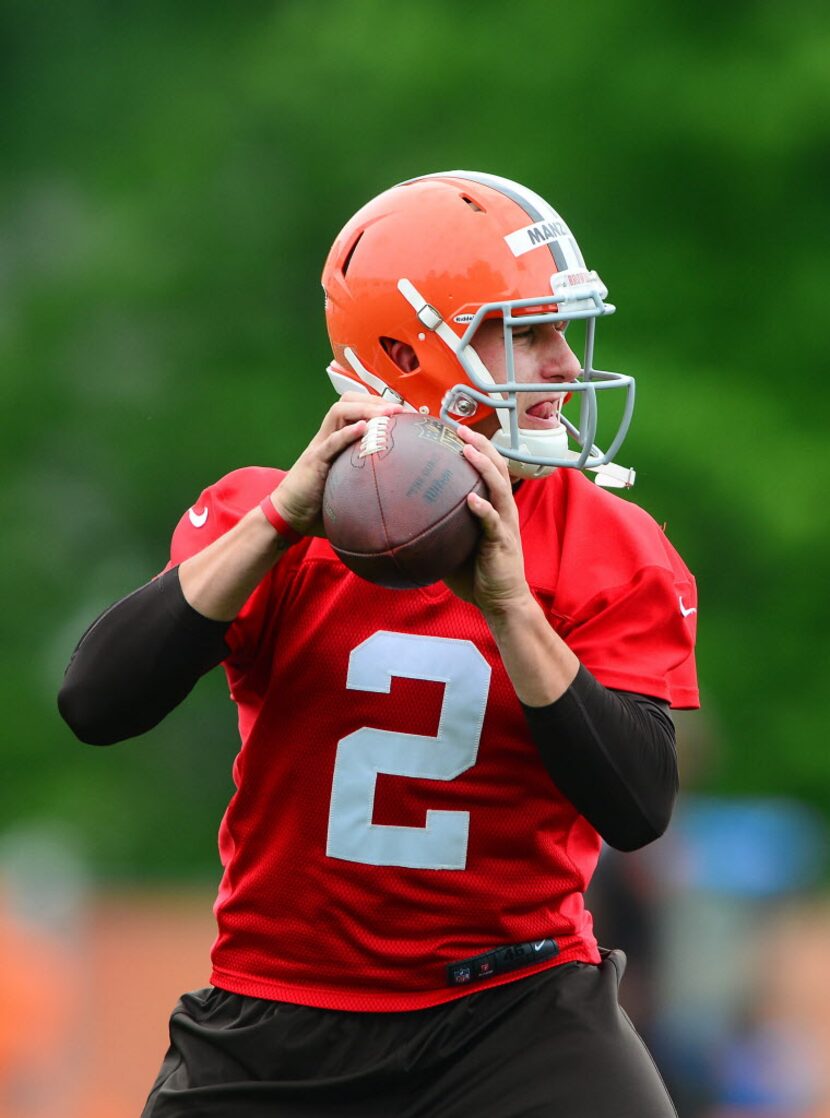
(610, 753)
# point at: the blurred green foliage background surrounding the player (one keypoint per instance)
(173, 176)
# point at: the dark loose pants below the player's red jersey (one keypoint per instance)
(552, 1046)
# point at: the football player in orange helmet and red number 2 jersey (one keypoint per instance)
(426, 776)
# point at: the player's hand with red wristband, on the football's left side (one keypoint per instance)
(299, 497)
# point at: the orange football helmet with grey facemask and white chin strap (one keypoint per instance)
(425, 263)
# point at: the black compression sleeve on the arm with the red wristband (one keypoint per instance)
(138, 661)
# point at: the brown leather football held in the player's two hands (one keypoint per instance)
(395, 504)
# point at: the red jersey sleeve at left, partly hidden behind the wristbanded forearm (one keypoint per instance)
(218, 510)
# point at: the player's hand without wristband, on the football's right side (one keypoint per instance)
(494, 579)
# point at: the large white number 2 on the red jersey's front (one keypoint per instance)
(441, 844)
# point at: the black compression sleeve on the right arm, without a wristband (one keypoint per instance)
(614, 755)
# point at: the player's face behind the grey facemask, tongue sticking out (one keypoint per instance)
(541, 356)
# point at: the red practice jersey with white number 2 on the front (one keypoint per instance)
(392, 816)
